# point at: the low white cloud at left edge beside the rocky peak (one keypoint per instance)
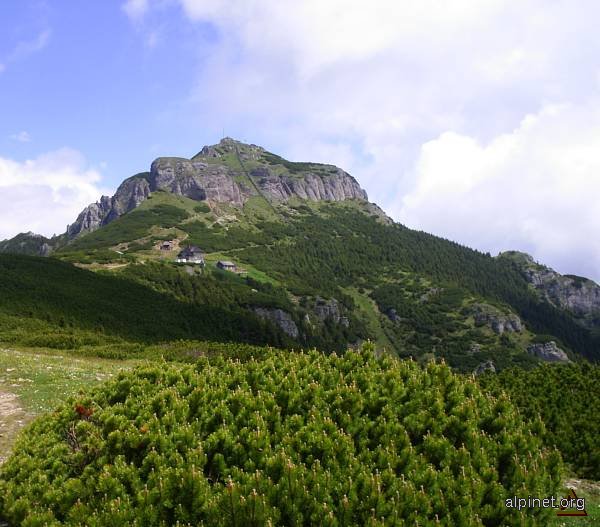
(44, 194)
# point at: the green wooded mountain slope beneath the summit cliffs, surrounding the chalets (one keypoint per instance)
(414, 293)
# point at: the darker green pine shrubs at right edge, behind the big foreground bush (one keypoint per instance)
(567, 398)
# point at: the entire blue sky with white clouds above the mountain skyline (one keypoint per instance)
(476, 120)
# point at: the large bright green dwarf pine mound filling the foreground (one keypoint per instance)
(292, 439)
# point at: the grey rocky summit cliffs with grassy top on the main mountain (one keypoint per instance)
(230, 172)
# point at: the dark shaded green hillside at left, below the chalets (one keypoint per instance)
(51, 303)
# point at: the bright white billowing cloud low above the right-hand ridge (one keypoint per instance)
(535, 189)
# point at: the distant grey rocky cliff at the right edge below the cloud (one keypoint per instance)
(576, 294)
